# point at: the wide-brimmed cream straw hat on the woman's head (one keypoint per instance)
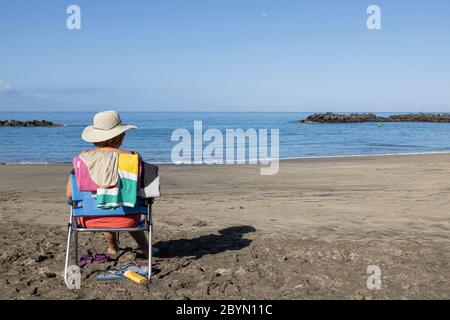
(107, 125)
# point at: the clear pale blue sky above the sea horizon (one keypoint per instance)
(217, 55)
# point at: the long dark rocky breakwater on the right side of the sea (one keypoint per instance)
(370, 117)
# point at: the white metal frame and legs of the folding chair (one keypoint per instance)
(74, 228)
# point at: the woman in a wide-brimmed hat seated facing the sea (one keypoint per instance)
(107, 134)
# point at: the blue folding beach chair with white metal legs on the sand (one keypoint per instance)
(83, 204)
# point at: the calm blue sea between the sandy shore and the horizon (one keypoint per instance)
(153, 138)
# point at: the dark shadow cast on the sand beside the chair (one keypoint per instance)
(228, 239)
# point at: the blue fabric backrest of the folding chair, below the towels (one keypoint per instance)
(86, 206)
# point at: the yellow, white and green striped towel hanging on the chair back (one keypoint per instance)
(125, 192)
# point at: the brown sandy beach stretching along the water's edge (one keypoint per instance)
(309, 232)
